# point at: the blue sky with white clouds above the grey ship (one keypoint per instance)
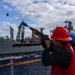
(36, 13)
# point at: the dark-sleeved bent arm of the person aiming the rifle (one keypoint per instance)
(56, 57)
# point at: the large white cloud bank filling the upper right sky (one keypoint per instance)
(46, 13)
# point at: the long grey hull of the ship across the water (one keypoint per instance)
(9, 47)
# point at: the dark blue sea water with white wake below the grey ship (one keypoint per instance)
(32, 67)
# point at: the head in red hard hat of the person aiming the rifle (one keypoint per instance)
(61, 35)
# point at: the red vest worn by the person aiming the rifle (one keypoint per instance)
(57, 70)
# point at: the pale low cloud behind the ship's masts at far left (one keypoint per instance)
(5, 29)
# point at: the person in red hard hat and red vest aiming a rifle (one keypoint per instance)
(62, 58)
